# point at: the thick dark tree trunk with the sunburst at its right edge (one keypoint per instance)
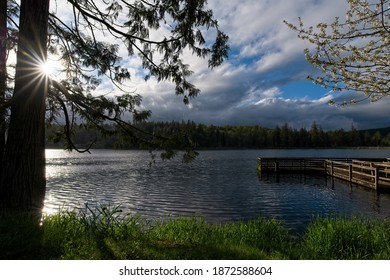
(23, 183)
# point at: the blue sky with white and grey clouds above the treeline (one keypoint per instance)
(264, 80)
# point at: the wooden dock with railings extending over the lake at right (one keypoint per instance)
(369, 172)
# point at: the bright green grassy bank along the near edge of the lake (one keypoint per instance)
(106, 234)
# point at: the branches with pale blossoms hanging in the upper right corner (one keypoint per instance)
(353, 54)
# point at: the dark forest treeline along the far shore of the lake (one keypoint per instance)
(240, 137)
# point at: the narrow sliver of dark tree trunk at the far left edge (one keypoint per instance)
(3, 76)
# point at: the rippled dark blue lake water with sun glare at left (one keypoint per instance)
(219, 185)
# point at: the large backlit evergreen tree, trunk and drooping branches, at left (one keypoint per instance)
(88, 42)
